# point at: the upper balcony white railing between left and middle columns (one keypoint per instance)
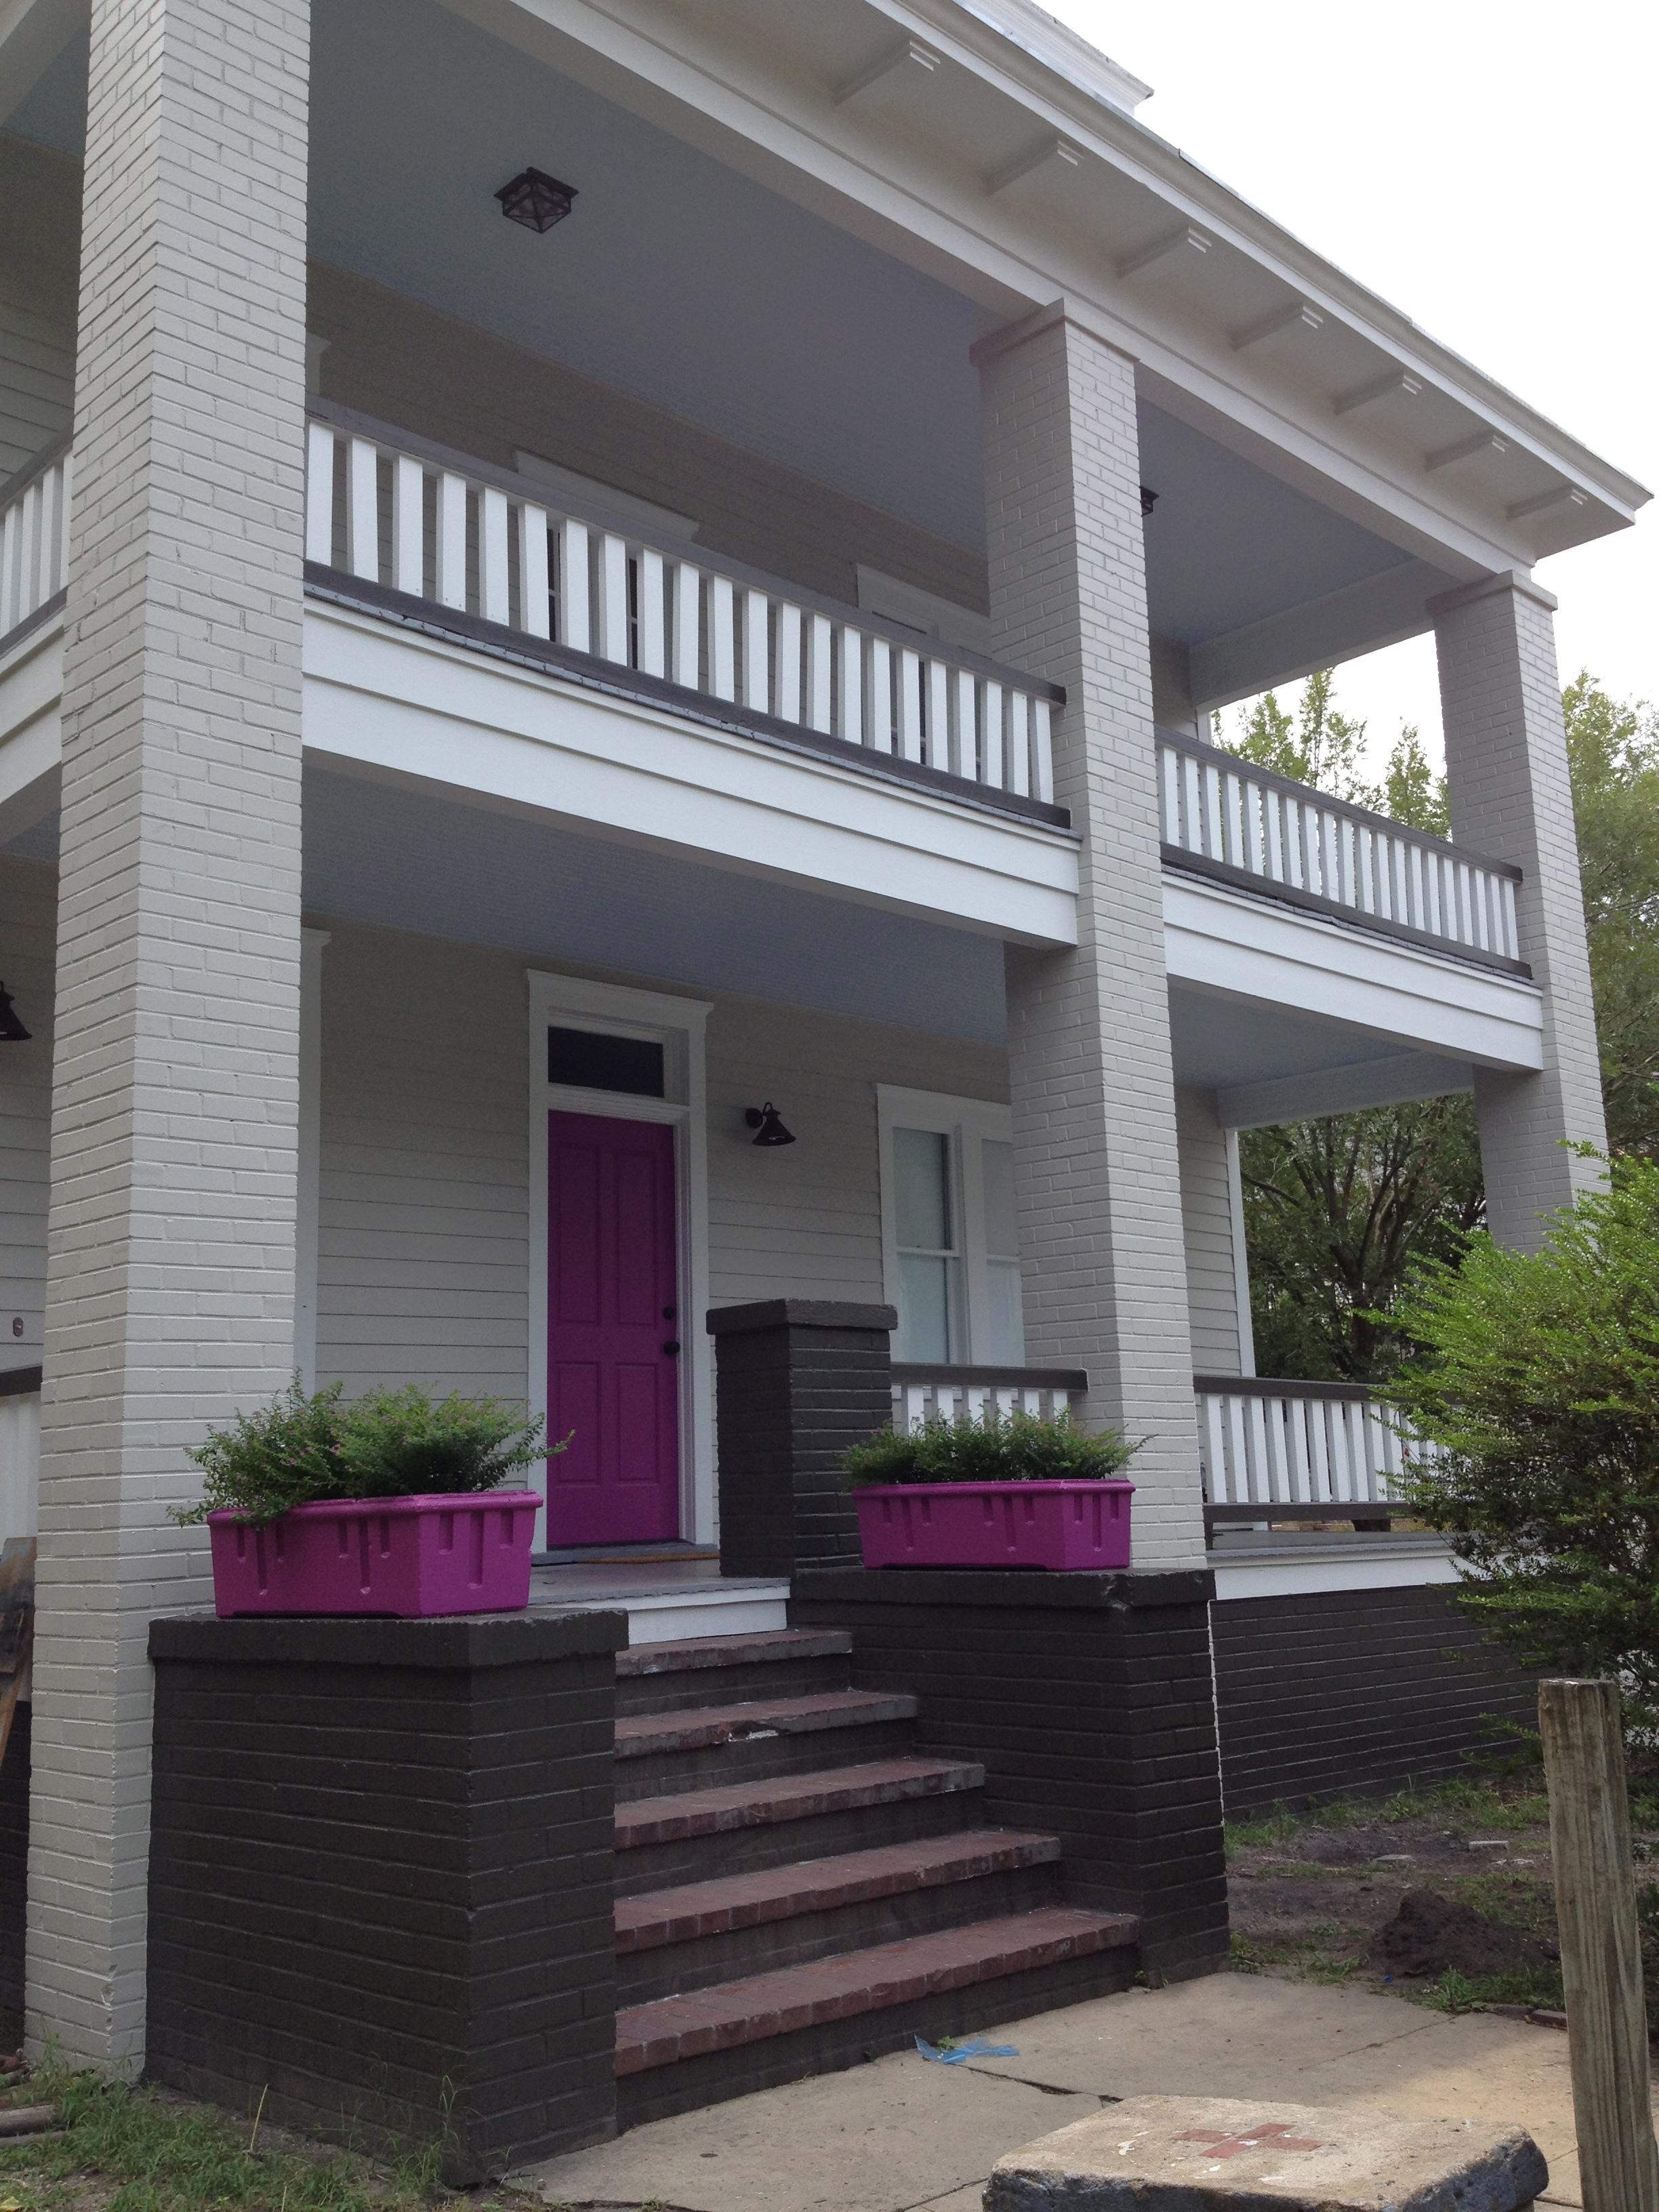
(505, 550)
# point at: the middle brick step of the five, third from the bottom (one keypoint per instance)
(698, 1835)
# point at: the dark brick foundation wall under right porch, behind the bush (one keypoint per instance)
(1355, 1691)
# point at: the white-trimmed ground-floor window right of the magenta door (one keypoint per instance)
(950, 1238)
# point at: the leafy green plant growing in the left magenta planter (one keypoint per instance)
(309, 1448)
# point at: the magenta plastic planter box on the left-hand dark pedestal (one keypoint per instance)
(404, 1556)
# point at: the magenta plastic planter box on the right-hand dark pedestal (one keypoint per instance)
(1058, 1525)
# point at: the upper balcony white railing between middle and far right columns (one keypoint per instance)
(1264, 828)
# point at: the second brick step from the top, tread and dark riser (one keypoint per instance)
(702, 1746)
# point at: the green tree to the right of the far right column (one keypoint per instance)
(1614, 751)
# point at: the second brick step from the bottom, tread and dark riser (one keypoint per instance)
(738, 1926)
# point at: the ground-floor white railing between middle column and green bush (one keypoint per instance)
(1297, 1450)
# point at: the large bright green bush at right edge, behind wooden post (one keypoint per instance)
(1538, 1381)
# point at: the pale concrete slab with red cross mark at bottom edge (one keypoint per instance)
(1185, 2153)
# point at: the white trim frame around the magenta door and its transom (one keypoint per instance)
(680, 1027)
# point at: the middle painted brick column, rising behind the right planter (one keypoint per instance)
(1089, 1030)
